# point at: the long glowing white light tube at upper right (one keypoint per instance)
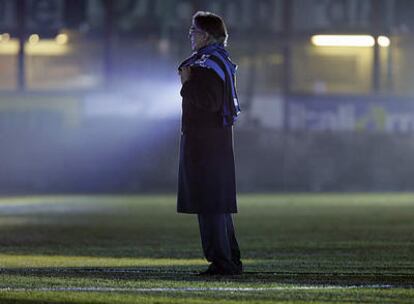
(343, 40)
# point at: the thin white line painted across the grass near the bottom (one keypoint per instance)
(190, 289)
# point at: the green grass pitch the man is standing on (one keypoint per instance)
(297, 248)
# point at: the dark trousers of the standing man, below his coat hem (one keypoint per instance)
(219, 241)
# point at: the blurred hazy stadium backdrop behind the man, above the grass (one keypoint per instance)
(89, 94)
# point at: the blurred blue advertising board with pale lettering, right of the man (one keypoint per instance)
(341, 113)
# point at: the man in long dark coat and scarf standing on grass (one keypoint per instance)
(207, 185)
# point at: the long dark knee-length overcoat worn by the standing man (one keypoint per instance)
(206, 178)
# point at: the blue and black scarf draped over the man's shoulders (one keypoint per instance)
(215, 57)
